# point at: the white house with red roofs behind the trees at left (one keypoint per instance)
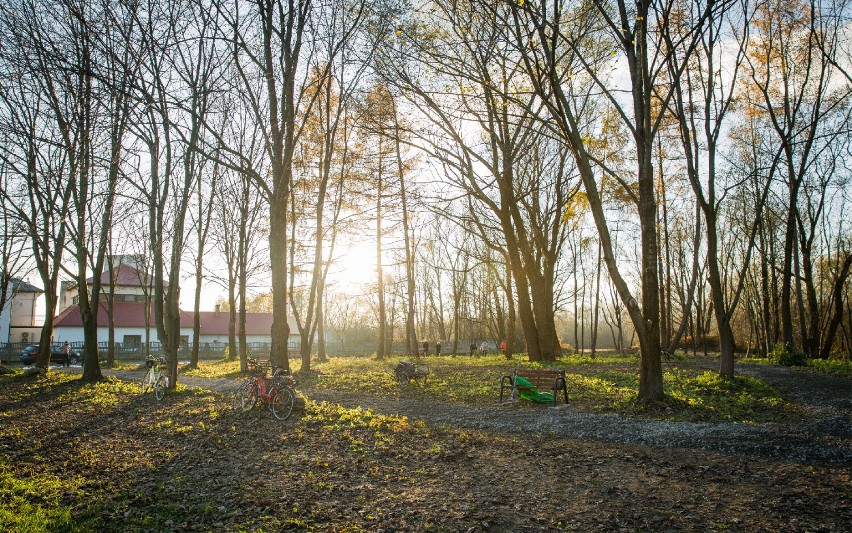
(133, 315)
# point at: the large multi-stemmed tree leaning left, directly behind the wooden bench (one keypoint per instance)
(486, 136)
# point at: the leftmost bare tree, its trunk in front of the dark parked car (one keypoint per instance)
(42, 131)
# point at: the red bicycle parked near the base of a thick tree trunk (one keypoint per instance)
(278, 392)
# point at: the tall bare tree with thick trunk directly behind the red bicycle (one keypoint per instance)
(272, 42)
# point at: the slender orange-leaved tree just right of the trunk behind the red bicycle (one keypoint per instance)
(323, 157)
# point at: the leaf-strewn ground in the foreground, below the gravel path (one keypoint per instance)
(106, 458)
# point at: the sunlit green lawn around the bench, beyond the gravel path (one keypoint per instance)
(608, 383)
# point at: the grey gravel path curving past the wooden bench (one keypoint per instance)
(826, 437)
